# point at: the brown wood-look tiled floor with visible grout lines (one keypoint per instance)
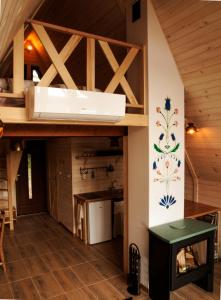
(44, 261)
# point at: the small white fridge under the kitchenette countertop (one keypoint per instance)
(99, 221)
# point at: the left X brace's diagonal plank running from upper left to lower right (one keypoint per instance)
(53, 54)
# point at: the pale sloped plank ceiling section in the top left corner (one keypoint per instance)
(12, 16)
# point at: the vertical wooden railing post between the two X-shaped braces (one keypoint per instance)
(90, 64)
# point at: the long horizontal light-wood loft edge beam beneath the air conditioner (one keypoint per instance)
(18, 115)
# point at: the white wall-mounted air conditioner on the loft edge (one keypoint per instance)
(49, 103)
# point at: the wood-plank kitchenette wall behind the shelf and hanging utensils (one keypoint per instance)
(102, 180)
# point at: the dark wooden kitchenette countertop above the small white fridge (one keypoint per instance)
(115, 195)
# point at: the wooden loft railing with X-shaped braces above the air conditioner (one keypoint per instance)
(59, 59)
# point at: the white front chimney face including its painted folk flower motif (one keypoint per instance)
(166, 178)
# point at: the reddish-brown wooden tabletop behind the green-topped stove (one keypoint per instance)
(196, 209)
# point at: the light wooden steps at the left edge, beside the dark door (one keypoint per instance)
(9, 165)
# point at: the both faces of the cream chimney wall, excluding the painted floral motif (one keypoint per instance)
(163, 81)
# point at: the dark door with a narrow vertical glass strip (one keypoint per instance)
(31, 191)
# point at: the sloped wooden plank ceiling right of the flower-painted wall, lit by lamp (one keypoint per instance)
(193, 31)
